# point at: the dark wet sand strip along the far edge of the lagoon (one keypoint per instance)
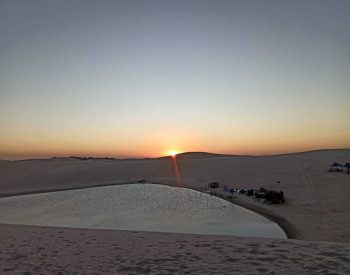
(285, 225)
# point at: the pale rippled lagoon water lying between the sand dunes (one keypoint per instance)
(146, 207)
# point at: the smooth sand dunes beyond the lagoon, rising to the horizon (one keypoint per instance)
(317, 206)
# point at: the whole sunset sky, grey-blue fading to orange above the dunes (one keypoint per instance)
(143, 78)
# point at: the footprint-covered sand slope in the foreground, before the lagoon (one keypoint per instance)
(76, 251)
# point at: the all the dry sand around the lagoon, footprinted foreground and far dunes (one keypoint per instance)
(316, 212)
